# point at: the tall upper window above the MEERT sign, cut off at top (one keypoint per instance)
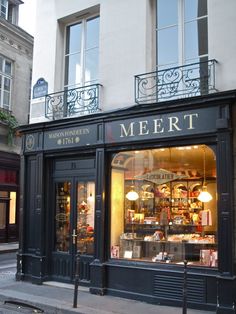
(182, 36)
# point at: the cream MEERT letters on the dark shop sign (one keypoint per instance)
(155, 126)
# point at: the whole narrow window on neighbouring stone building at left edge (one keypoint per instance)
(5, 83)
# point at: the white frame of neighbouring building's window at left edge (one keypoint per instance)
(3, 76)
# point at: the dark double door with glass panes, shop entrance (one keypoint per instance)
(73, 227)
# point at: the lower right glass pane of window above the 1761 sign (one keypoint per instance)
(91, 65)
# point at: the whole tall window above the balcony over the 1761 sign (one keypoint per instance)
(81, 55)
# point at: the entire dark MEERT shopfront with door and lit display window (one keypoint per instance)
(122, 190)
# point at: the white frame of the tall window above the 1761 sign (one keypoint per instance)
(83, 23)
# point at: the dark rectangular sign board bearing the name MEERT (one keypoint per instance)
(189, 122)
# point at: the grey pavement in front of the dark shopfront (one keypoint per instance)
(54, 298)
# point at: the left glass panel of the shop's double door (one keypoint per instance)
(62, 216)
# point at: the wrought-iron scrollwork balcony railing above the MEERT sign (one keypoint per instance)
(174, 83)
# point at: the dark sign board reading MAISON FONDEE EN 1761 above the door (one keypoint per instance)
(70, 137)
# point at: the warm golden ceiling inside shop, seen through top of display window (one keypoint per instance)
(176, 159)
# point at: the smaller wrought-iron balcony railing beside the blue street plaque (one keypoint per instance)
(72, 102)
